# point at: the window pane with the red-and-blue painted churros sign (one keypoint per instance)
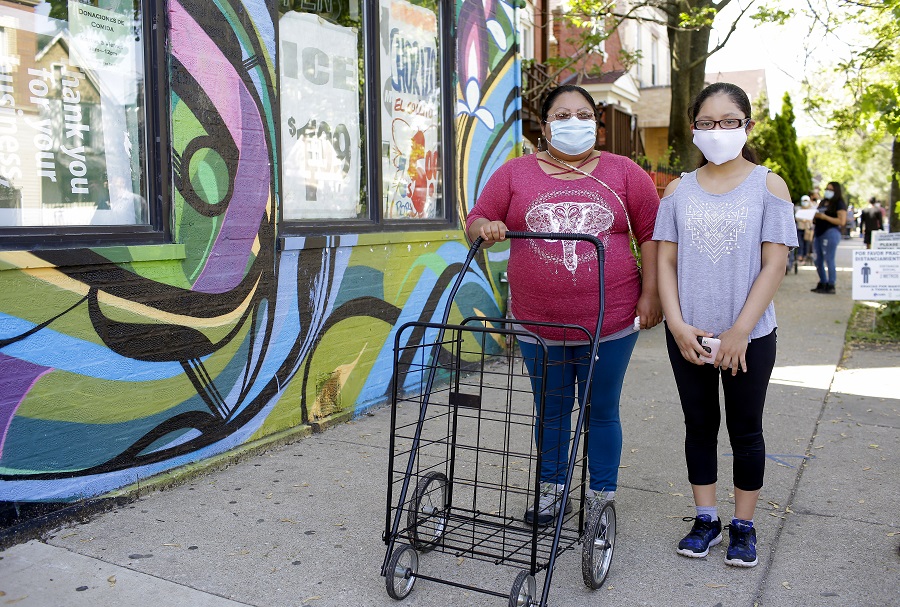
(411, 110)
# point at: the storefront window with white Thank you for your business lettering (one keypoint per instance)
(72, 115)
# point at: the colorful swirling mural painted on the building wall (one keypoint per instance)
(114, 367)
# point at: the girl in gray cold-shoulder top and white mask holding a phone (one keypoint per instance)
(724, 233)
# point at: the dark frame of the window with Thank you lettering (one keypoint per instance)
(157, 162)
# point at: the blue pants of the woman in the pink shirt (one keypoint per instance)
(568, 367)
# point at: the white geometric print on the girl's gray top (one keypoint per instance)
(714, 226)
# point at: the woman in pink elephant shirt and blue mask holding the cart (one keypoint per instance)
(573, 188)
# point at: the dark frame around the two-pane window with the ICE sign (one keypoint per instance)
(375, 221)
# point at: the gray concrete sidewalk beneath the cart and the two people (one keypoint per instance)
(301, 524)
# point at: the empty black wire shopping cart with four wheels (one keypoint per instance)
(463, 463)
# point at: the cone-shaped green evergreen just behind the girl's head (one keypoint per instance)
(775, 140)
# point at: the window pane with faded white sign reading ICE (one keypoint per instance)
(322, 102)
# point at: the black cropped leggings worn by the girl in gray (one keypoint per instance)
(745, 397)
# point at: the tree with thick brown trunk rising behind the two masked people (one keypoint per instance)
(689, 25)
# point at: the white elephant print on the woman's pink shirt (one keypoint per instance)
(559, 212)
